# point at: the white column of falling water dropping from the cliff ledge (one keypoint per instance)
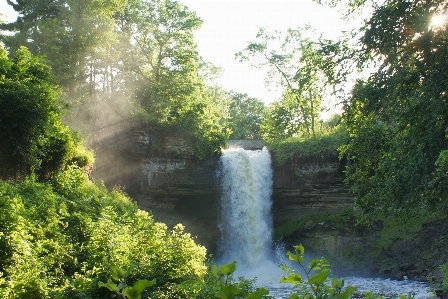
(246, 221)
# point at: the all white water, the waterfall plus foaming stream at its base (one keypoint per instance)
(246, 228)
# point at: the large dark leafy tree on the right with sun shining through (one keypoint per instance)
(398, 116)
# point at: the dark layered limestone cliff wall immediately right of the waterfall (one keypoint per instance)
(305, 185)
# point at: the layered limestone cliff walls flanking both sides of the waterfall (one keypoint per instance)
(161, 172)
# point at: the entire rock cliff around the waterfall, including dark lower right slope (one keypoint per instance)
(160, 171)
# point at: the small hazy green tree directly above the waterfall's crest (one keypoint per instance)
(245, 116)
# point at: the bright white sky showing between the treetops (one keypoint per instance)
(230, 25)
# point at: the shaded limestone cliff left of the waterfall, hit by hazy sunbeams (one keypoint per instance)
(161, 173)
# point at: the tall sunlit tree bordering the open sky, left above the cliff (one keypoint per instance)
(168, 59)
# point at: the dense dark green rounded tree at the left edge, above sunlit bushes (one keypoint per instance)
(32, 138)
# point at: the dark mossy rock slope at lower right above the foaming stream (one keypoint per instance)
(350, 249)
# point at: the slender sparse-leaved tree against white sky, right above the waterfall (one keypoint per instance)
(295, 63)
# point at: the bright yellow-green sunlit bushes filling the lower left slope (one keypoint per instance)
(58, 239)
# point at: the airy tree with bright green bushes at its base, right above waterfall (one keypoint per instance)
(305, 67)
